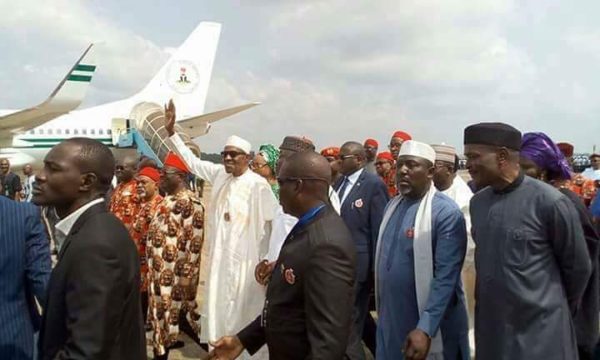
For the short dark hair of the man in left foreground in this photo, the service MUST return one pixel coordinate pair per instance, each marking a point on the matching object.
(97, 158)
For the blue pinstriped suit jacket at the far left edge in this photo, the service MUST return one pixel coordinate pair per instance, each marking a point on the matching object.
(24, 273)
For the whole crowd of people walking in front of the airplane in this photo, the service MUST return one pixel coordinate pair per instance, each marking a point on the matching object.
(296, 254)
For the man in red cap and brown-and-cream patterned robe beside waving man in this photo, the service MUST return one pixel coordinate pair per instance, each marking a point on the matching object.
(175, 240)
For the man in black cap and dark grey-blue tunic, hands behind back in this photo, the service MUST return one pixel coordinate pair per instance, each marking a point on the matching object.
(532, 262)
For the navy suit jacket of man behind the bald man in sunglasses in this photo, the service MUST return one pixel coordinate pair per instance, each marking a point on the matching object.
(362, 212)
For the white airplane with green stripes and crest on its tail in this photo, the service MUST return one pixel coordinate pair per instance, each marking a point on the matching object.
(27, 135)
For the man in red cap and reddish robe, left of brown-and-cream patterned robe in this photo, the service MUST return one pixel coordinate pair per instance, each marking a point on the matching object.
(147, 191)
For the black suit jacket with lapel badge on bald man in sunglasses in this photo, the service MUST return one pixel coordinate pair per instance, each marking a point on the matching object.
(310, 297)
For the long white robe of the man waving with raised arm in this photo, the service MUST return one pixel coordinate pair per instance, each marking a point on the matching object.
(238, 226)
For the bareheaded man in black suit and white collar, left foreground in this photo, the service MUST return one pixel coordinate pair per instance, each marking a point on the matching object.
(93, 308)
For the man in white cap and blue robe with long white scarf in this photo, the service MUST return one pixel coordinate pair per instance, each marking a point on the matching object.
(420, 253)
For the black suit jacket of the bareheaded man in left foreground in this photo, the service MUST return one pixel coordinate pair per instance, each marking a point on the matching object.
(93, 308)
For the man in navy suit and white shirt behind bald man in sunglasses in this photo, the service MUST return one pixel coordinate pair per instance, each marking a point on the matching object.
(363, 196)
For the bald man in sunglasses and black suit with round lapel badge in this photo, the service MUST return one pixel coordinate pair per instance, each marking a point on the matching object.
(310, 297)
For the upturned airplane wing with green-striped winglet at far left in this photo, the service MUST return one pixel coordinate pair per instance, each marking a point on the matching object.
(67, 96)
